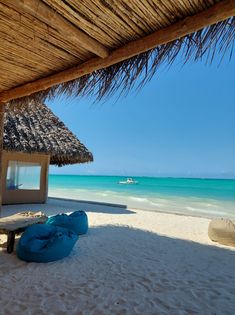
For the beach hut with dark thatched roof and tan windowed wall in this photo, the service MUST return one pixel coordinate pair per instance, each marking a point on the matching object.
(34, 138)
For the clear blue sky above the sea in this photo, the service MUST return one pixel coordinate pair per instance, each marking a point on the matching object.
(182, 123)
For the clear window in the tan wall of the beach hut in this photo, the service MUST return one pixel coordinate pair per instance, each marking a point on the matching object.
(23, 175)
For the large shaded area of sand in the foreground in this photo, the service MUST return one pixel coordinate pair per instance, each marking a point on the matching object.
(120, 270)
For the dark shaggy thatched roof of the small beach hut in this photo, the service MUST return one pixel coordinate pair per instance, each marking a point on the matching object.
(35, 129)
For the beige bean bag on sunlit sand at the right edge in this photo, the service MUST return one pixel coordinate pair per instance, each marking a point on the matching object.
(222, 231)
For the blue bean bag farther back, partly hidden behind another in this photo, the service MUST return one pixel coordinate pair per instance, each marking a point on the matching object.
(76, 221)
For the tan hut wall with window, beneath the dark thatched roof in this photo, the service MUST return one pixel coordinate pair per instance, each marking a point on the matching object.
(24, 177)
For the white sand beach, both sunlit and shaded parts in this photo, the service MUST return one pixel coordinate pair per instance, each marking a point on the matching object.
(129, 263)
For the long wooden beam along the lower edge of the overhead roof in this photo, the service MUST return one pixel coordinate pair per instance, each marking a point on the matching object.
(218, 12)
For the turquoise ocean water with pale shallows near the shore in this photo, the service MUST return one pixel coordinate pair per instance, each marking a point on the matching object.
(193, 196)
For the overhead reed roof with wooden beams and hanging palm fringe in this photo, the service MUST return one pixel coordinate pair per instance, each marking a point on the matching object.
(57, 41)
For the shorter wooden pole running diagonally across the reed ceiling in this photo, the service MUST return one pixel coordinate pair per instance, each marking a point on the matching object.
(44, 13)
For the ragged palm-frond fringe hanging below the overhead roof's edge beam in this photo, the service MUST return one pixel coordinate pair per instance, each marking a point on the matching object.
(122, 77)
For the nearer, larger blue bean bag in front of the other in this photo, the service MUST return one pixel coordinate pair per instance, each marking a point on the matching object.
(45, 243)
